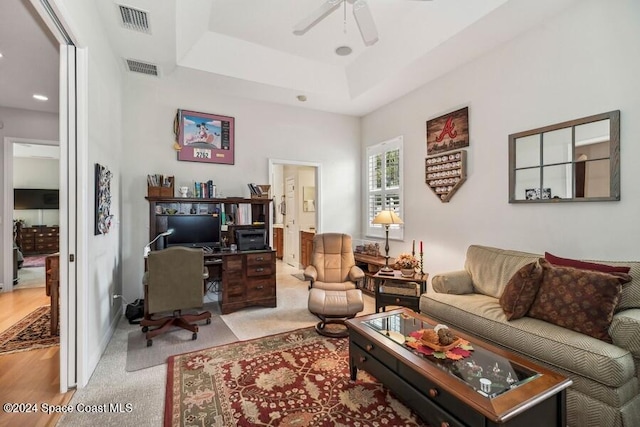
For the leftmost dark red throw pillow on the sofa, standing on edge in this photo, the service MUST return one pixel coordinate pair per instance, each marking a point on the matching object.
(521, 291)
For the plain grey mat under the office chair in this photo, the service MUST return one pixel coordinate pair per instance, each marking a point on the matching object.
(176, 341)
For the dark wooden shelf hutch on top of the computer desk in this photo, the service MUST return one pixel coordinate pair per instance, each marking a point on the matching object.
(236, 212)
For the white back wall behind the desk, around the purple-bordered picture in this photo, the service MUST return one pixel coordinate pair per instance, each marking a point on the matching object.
(263, 131)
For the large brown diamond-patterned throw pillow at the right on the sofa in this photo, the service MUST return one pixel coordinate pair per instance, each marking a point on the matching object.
(581, 300)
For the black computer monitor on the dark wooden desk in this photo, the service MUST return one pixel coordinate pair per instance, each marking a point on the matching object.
(194, 231)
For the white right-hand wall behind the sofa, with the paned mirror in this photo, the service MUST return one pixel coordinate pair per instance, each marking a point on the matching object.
(582, 62)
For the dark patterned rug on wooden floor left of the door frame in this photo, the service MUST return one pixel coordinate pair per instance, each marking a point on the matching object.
(31, 332)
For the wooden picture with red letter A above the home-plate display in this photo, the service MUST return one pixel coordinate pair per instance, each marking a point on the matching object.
(448, 132)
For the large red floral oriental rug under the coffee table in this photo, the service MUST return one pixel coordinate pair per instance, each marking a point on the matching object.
(297, 378)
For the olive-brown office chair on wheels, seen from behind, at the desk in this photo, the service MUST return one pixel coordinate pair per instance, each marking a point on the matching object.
(174, 281)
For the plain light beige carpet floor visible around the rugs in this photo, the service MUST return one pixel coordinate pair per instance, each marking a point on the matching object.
(145, 388)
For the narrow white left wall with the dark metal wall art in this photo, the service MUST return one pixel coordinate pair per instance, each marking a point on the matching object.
(98, 256)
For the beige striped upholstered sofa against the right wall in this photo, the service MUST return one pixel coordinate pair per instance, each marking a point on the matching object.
(605, 389)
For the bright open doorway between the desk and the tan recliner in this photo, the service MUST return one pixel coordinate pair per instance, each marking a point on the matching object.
(289, 179)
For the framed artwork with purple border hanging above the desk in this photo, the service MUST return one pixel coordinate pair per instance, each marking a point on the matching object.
(207, 138)
